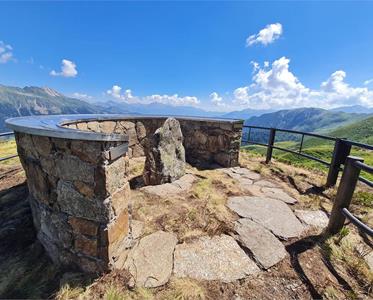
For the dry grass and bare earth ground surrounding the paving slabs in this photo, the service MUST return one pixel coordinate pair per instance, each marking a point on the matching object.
(316, 267)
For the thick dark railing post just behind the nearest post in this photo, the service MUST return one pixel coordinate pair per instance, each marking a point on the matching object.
(341, 150)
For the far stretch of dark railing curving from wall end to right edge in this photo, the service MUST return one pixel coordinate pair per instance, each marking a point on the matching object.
(342, 149)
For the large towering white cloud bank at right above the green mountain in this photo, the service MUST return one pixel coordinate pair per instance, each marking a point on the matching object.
(276, 86)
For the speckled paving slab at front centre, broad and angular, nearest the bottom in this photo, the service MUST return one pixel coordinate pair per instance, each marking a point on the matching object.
(216, 258)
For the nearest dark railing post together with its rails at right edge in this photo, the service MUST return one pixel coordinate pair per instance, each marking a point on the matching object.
(345, 192)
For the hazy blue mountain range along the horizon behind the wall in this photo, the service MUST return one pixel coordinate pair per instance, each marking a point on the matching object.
(15, 101)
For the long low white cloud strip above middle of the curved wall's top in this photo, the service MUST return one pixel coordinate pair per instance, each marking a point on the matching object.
(127, 96)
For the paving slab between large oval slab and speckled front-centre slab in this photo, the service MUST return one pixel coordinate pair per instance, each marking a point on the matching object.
(266, 249)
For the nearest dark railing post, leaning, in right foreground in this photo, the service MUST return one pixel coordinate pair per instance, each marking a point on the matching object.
(344, 195)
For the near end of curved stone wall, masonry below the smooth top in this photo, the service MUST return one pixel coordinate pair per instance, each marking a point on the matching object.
(79, 199)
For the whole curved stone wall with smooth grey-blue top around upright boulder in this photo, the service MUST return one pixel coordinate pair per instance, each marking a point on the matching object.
(77, 173)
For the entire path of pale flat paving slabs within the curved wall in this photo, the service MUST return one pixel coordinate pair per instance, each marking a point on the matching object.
(265, 219)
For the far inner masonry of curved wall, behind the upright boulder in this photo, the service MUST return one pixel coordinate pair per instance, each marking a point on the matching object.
(205, 141)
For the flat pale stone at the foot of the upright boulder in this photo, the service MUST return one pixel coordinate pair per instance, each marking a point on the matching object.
(179, 186)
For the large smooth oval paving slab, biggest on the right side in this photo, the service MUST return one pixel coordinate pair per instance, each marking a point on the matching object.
(273, 214)
